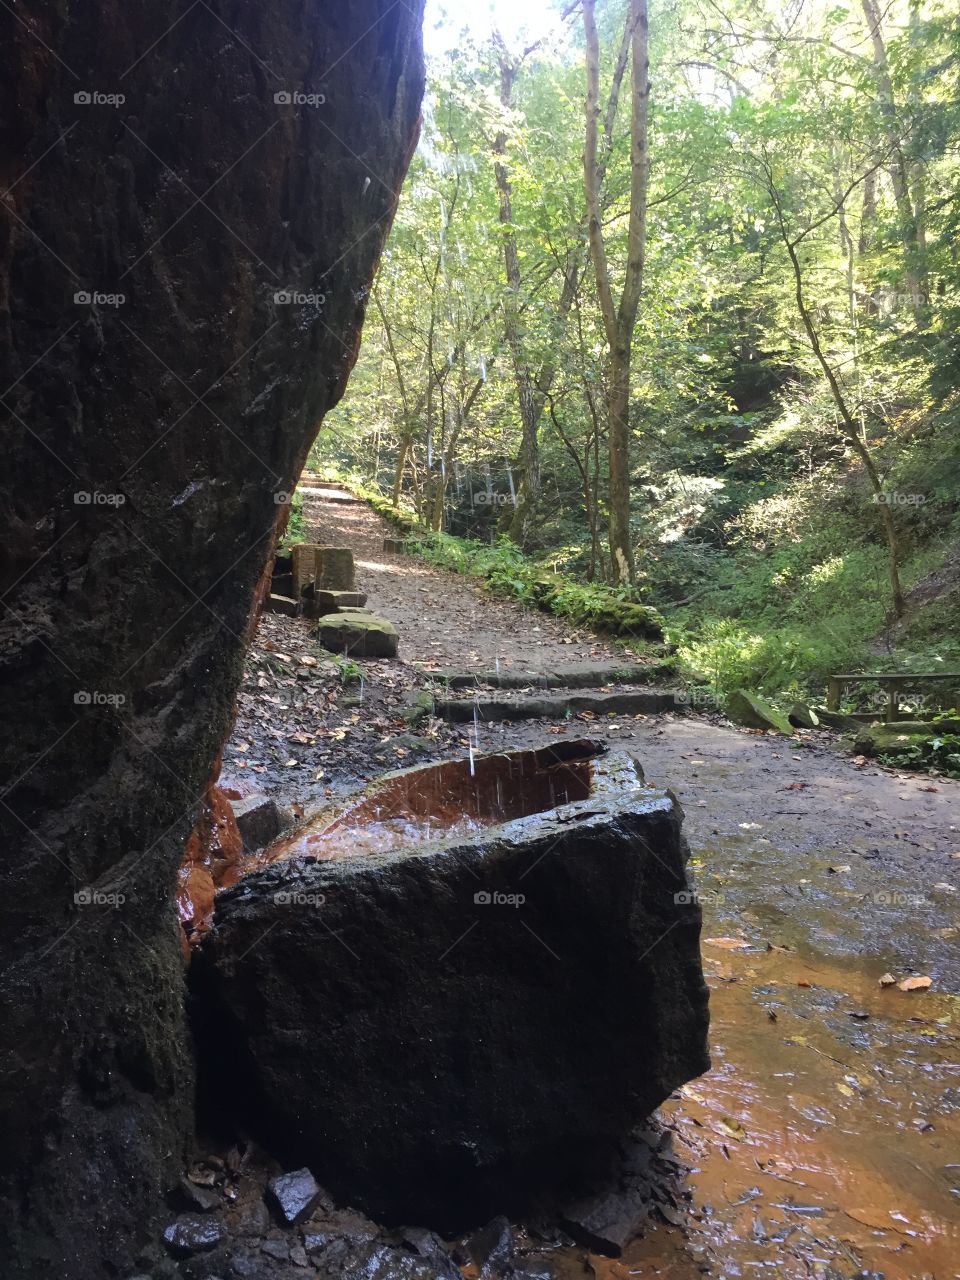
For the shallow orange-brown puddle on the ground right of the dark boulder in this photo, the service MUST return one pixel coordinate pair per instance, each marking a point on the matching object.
(821, 1144)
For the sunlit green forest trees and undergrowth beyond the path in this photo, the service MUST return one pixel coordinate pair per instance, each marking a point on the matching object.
(671, 304)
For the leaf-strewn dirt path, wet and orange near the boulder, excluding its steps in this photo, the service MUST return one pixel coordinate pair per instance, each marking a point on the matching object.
(825, 1141)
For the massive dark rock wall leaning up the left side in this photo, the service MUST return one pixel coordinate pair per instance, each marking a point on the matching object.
(161, 395)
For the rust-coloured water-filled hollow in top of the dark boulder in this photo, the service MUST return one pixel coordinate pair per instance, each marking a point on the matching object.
(447, 801)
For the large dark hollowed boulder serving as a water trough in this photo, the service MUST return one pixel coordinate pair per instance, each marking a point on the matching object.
(464, 1022)
